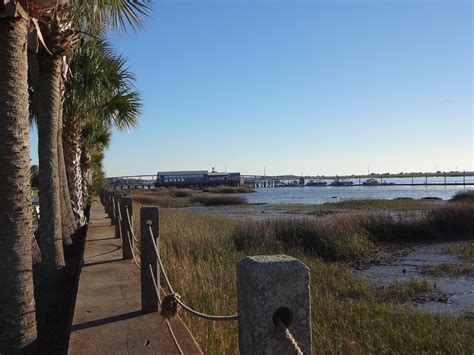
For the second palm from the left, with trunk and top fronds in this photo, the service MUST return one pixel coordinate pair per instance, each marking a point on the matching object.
(61, 33)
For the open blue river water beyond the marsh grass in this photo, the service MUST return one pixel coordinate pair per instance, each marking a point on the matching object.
(315, 195)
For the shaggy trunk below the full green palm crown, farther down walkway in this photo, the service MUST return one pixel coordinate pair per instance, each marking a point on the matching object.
(72, 157)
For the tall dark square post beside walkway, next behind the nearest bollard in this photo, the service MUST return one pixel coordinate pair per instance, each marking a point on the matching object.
(149, 217)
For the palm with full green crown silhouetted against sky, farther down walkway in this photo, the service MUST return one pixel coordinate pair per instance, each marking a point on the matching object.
(99, 96)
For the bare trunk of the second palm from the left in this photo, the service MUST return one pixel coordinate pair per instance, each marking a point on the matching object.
(49, 99)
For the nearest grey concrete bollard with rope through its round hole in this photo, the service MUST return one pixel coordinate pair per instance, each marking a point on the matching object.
(273, 289)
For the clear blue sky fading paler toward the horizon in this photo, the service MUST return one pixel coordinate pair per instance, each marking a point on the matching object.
(300, 87)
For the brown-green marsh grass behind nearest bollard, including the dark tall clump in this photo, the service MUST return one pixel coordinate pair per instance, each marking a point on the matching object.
(349, 315)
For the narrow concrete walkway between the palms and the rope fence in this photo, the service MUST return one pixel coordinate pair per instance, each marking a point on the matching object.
(107, 317)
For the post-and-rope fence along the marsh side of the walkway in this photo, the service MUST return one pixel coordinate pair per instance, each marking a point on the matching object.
(273, 294)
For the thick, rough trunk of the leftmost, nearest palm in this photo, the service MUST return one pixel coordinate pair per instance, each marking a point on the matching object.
(17, 304)
